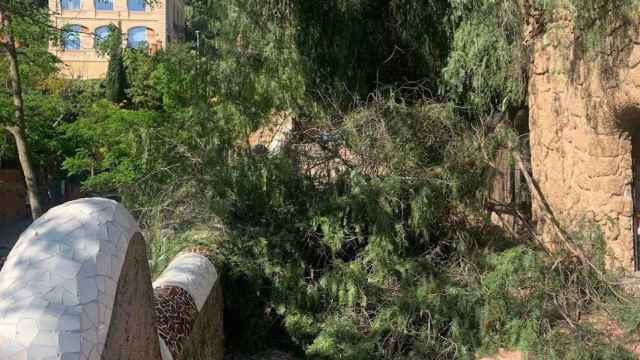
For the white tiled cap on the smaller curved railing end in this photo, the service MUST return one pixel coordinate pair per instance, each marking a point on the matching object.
(191, 272)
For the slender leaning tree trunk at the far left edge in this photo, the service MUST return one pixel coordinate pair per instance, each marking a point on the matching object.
(18, 128)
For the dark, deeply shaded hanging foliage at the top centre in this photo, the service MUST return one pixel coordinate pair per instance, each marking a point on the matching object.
(400, 41)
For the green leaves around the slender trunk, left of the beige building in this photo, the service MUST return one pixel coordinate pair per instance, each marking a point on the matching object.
(32, 34)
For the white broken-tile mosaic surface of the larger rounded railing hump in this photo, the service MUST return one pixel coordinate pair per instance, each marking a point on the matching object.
(57, 287)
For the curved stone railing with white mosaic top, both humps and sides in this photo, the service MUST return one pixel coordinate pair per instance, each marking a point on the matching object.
(77, 286)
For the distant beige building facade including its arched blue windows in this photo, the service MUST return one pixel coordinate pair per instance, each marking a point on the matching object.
(144, 23)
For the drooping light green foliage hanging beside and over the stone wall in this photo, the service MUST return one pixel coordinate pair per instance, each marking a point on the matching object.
(486, 68)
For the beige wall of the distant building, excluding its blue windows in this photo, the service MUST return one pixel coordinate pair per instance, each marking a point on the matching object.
(164, 21)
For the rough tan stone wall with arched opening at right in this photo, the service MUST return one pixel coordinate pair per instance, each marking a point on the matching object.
(582, 116)
